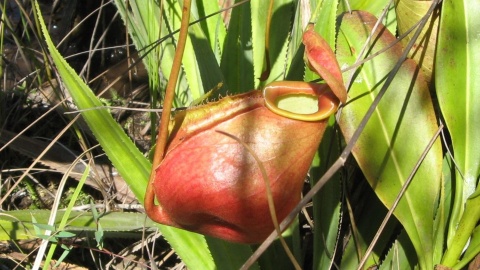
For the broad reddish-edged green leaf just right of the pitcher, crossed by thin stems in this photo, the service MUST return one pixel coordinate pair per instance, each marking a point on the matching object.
(397, 133)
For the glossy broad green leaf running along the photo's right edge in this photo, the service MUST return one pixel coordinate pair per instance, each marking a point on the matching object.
(458, 91)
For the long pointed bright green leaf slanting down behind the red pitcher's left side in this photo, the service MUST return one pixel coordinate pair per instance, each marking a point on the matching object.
(128, 160)
